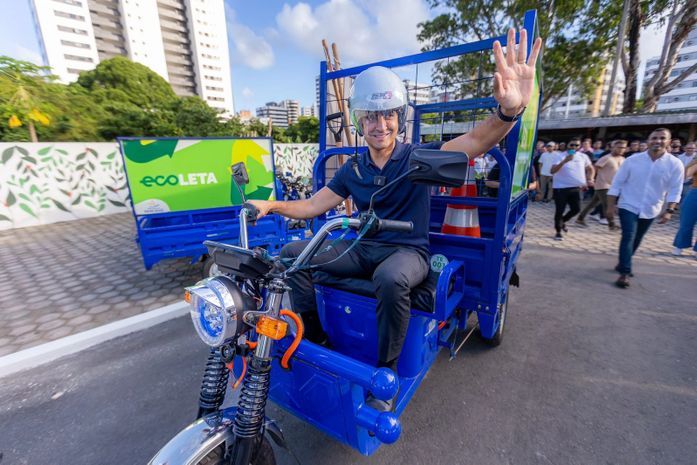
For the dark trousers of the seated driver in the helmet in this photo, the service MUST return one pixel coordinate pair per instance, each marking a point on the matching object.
(393, 269)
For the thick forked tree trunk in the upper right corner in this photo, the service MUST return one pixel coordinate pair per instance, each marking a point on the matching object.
(681, 19)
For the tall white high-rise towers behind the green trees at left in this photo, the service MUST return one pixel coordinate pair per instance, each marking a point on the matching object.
(184, 41)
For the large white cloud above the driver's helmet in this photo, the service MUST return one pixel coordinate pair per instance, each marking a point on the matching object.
(363, 30)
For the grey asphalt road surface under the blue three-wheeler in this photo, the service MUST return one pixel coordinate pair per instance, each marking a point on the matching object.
(587, 374)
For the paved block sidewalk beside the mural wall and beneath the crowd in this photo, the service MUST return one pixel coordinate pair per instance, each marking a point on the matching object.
(65, 278)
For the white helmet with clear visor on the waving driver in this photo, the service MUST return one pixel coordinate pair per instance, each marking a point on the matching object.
(378, 89)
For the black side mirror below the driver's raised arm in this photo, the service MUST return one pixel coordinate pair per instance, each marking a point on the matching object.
(438, 167)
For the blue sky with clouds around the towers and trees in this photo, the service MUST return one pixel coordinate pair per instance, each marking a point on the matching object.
(275, 46)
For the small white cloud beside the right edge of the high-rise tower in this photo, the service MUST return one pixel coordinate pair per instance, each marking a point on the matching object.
(248, 47)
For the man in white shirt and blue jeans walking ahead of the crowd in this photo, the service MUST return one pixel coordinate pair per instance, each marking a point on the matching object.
(642, 184)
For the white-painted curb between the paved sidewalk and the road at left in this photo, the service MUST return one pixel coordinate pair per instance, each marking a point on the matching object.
(50, 351)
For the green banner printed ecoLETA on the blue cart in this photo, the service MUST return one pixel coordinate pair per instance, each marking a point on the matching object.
(169, 175)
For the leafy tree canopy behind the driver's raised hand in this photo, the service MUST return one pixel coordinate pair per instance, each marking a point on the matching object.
(578, 38)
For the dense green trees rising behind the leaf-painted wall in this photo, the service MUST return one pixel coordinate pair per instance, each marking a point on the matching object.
(118, 98)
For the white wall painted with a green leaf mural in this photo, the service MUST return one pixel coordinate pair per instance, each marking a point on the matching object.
(46, 183)
